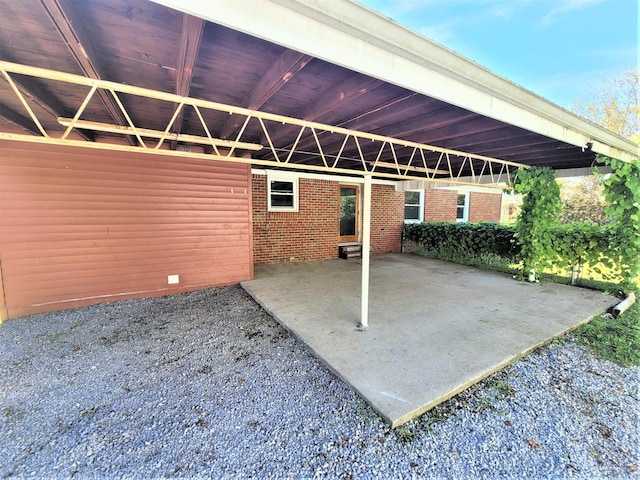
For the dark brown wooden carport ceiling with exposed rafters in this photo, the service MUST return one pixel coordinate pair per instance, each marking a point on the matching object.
(141, 43)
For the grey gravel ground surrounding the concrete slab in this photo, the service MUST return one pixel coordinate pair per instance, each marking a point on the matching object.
(207, 385)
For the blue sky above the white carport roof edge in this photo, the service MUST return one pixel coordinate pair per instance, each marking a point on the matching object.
(559, 49)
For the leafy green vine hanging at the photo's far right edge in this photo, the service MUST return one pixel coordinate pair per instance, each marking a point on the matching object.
(622, 192)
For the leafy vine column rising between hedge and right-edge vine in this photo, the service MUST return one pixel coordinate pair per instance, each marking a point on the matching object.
(541, 207)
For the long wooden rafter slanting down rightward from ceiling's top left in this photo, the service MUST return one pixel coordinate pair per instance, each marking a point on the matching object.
(79, 44)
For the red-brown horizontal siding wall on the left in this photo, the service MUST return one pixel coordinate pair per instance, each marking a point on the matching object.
(84, 226)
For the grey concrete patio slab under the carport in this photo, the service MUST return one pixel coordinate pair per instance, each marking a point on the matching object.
(435, 328)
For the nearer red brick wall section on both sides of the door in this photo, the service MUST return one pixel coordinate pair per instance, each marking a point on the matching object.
(311, 233)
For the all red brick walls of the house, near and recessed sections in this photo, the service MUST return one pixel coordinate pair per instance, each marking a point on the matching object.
(311, 232)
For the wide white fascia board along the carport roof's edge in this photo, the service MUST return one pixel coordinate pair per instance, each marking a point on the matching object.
(351, 35)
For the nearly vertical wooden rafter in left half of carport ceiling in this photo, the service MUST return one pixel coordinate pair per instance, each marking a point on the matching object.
(190, 38)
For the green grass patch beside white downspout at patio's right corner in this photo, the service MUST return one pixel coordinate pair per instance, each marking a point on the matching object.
(617, 340)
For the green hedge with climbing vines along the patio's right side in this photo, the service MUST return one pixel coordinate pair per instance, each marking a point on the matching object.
(539, 242)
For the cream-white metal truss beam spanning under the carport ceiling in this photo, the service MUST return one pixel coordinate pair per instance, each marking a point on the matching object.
(377, 155)
